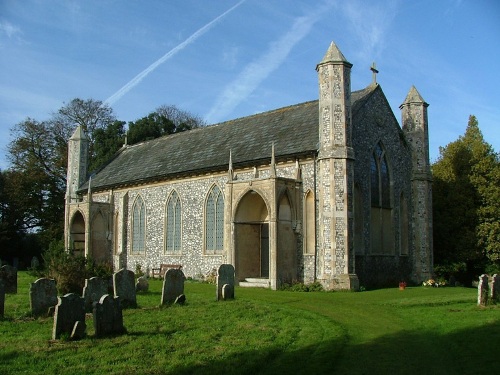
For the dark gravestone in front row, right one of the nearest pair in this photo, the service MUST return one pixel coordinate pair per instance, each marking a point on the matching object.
(108, 317)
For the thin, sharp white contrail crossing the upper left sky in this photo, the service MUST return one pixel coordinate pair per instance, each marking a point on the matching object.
(138, 78)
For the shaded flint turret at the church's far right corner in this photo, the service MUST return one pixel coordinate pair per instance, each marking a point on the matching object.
(415, 126)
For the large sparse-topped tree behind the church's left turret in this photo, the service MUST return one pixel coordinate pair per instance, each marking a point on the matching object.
(38, 156)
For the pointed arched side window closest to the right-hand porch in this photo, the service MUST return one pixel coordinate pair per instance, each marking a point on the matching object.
(214, 221)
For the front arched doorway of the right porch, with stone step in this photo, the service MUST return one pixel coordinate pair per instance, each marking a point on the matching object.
(251, 237)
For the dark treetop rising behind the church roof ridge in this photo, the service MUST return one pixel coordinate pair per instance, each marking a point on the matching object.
(165, 120)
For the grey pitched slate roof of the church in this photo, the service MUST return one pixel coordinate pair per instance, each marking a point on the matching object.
(293, 129)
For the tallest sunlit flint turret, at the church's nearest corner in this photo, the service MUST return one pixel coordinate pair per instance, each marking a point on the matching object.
(336, 173)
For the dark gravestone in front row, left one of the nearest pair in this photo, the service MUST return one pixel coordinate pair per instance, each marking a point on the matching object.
(70, 309)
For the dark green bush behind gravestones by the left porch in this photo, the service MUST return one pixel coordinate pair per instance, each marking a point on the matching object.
(69, 270)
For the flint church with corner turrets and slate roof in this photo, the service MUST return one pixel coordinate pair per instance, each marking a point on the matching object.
(332, 190)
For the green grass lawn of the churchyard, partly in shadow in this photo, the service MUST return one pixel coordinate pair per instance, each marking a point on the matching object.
(415, 331)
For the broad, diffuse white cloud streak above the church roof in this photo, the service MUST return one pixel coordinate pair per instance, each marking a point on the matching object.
(257, 71)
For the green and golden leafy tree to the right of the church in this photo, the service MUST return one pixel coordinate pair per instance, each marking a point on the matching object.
(466, 200)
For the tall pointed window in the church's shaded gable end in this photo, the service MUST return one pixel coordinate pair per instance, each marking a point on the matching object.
(382, 233)
